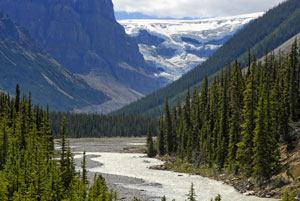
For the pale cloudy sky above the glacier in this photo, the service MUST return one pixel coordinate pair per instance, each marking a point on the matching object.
(194, 8)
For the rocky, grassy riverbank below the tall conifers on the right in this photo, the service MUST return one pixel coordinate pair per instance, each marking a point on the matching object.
(287, 178)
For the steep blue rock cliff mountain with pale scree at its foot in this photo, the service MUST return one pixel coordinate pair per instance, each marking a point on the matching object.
(84, 37)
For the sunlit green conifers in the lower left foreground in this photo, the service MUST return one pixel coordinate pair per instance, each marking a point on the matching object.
(30, 168)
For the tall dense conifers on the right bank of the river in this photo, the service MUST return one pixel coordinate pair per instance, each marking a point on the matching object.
(238, 122)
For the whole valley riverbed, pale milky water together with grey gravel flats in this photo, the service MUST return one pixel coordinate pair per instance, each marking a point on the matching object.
(123, 164)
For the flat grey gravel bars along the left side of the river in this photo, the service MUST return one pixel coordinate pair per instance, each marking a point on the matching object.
(117, 145)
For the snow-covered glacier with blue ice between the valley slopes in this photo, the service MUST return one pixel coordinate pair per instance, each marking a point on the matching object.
(174, 47)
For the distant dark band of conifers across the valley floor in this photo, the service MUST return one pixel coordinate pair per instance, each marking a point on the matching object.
(97, 125)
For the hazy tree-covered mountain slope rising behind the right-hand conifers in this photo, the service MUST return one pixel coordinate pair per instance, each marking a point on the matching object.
(267, 32)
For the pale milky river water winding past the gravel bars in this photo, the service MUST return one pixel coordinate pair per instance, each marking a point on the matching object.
(158, 182)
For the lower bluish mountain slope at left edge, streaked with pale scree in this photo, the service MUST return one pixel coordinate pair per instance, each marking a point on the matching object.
(24, 61)
